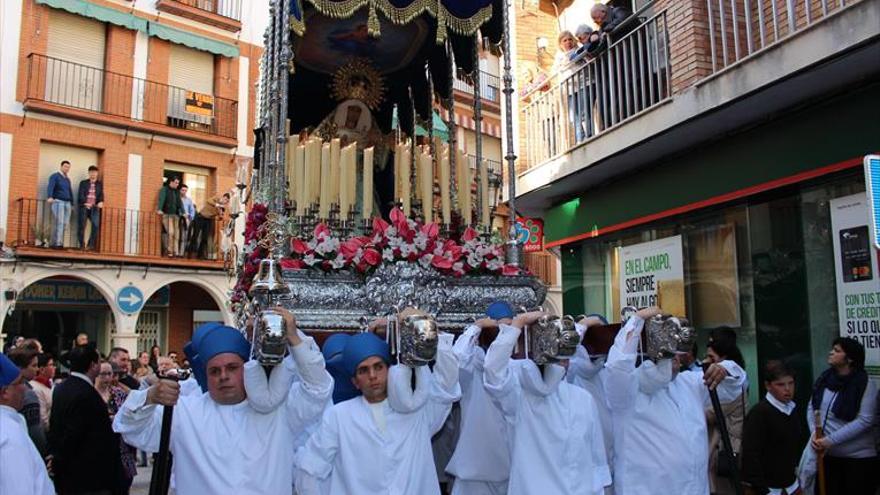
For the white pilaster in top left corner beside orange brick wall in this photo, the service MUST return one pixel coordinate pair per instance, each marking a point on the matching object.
(10, 33)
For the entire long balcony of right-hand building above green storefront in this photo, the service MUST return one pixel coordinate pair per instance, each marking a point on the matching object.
(677, 64)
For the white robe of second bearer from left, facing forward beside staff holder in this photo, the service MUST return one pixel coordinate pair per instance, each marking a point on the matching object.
(349, 449)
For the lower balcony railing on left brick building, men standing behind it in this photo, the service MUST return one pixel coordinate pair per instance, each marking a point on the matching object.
(123, 235)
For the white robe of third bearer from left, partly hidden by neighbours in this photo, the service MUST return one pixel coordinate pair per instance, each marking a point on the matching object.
(481, 461)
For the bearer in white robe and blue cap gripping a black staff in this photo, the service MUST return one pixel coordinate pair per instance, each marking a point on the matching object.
(220, 443)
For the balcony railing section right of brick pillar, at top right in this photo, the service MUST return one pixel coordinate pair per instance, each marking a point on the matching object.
(740, 28)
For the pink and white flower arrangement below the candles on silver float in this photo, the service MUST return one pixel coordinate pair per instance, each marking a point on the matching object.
(403, 239)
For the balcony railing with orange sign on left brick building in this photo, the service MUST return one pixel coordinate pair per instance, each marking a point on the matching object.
(81, 87)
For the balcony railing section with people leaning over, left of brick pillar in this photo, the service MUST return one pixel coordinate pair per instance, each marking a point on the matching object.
(600, 91)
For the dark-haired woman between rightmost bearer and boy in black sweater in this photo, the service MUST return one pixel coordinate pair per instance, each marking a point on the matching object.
(722, 346)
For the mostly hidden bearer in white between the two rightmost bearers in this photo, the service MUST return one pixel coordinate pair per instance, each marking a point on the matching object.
(589, 374)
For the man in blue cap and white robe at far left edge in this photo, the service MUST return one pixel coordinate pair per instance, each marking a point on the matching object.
(22, 471)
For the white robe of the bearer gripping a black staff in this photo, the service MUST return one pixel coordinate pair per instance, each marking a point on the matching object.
(232, 448)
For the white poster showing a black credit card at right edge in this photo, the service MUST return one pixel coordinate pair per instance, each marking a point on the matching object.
(855, 268)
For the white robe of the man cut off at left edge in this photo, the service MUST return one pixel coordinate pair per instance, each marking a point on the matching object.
(22, 471)
